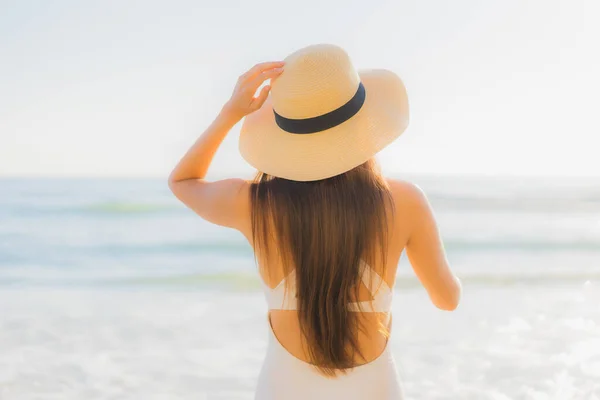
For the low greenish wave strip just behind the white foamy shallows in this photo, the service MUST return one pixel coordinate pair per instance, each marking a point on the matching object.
(237, 277)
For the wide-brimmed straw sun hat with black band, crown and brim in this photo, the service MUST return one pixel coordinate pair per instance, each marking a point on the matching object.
(323, 117)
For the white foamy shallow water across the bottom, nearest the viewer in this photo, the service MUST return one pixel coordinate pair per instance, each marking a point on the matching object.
(159, 344)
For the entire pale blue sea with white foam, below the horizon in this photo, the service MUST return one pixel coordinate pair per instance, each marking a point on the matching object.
(111, 289)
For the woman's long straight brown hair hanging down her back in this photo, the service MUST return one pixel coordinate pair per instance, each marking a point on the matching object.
(323, 229)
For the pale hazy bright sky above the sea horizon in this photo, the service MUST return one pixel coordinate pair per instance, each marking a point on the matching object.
(123, 88)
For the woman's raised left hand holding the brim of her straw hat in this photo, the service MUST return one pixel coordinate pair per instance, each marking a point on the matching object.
(243, 101)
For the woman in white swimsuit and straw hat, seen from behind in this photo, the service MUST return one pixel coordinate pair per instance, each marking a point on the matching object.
(326, 227)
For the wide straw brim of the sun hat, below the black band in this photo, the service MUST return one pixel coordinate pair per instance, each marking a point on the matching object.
(309, 157)
